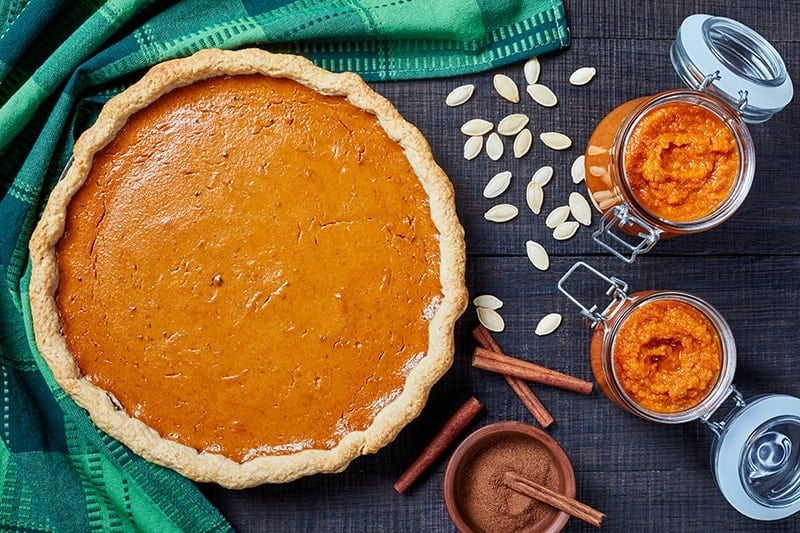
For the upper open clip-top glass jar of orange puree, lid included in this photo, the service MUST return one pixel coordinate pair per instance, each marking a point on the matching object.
(682, 161)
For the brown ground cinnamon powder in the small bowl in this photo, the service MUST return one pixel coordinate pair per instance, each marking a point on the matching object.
(487, 503)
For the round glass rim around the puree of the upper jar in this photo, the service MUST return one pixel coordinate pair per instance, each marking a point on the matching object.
(746, 152)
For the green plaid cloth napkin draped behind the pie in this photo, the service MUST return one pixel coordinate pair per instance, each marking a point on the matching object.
(59, 62)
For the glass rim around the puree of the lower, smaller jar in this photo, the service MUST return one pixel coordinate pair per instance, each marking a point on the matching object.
(722, 387)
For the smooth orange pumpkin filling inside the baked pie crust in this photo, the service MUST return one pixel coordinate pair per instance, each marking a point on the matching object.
(250, 268)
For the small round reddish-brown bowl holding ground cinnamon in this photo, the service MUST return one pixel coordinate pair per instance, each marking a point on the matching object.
(483, 439)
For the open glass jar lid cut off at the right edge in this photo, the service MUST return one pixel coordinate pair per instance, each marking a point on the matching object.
(756, 457)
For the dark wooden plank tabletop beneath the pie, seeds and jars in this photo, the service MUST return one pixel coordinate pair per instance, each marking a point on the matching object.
(644, 476)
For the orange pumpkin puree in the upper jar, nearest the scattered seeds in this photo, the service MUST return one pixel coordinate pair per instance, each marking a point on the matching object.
(681, 161)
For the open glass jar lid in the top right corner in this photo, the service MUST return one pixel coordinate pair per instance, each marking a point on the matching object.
(730, 60)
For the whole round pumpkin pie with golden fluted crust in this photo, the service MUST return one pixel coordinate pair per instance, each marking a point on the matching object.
(251, 270)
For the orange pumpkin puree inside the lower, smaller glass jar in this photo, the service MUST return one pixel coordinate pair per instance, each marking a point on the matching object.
(667, 356)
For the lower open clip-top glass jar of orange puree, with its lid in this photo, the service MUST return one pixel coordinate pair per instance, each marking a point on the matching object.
(670, 357)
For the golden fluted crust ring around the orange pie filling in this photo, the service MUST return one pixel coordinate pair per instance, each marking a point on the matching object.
(207, 465)
